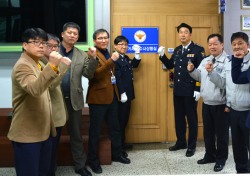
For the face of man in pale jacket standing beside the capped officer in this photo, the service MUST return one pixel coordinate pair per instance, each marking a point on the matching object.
(215, 46)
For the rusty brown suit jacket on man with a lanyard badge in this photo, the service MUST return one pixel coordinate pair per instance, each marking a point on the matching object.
(101, 90)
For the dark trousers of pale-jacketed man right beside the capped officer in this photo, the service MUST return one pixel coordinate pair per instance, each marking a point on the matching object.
(216, 131)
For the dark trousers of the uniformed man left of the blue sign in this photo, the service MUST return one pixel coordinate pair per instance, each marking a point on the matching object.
(123, 115)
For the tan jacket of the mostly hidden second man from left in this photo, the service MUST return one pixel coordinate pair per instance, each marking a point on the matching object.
(59, 111)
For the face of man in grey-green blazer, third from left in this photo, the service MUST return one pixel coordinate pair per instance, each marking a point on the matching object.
(70, 36)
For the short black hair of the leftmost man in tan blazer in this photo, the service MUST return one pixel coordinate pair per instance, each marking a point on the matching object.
(34, 33)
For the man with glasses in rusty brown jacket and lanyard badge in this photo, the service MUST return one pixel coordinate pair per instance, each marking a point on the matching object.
(102, 98)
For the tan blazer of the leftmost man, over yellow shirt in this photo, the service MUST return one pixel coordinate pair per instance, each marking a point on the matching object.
(32, 111)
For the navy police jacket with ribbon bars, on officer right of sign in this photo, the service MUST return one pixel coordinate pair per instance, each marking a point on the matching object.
(184, 85)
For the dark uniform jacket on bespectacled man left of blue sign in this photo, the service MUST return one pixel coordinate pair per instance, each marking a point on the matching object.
(124, 75)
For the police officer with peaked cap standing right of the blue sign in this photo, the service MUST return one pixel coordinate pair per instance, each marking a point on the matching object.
(186, 89)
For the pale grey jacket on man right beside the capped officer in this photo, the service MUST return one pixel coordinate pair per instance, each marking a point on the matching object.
(211, 93)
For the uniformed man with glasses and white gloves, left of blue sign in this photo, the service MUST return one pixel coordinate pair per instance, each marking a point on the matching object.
(124, 80)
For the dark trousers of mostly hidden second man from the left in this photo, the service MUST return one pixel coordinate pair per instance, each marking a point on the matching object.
(55, 144)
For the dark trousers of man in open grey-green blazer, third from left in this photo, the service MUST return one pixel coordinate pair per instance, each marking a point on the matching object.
(76, 141)
